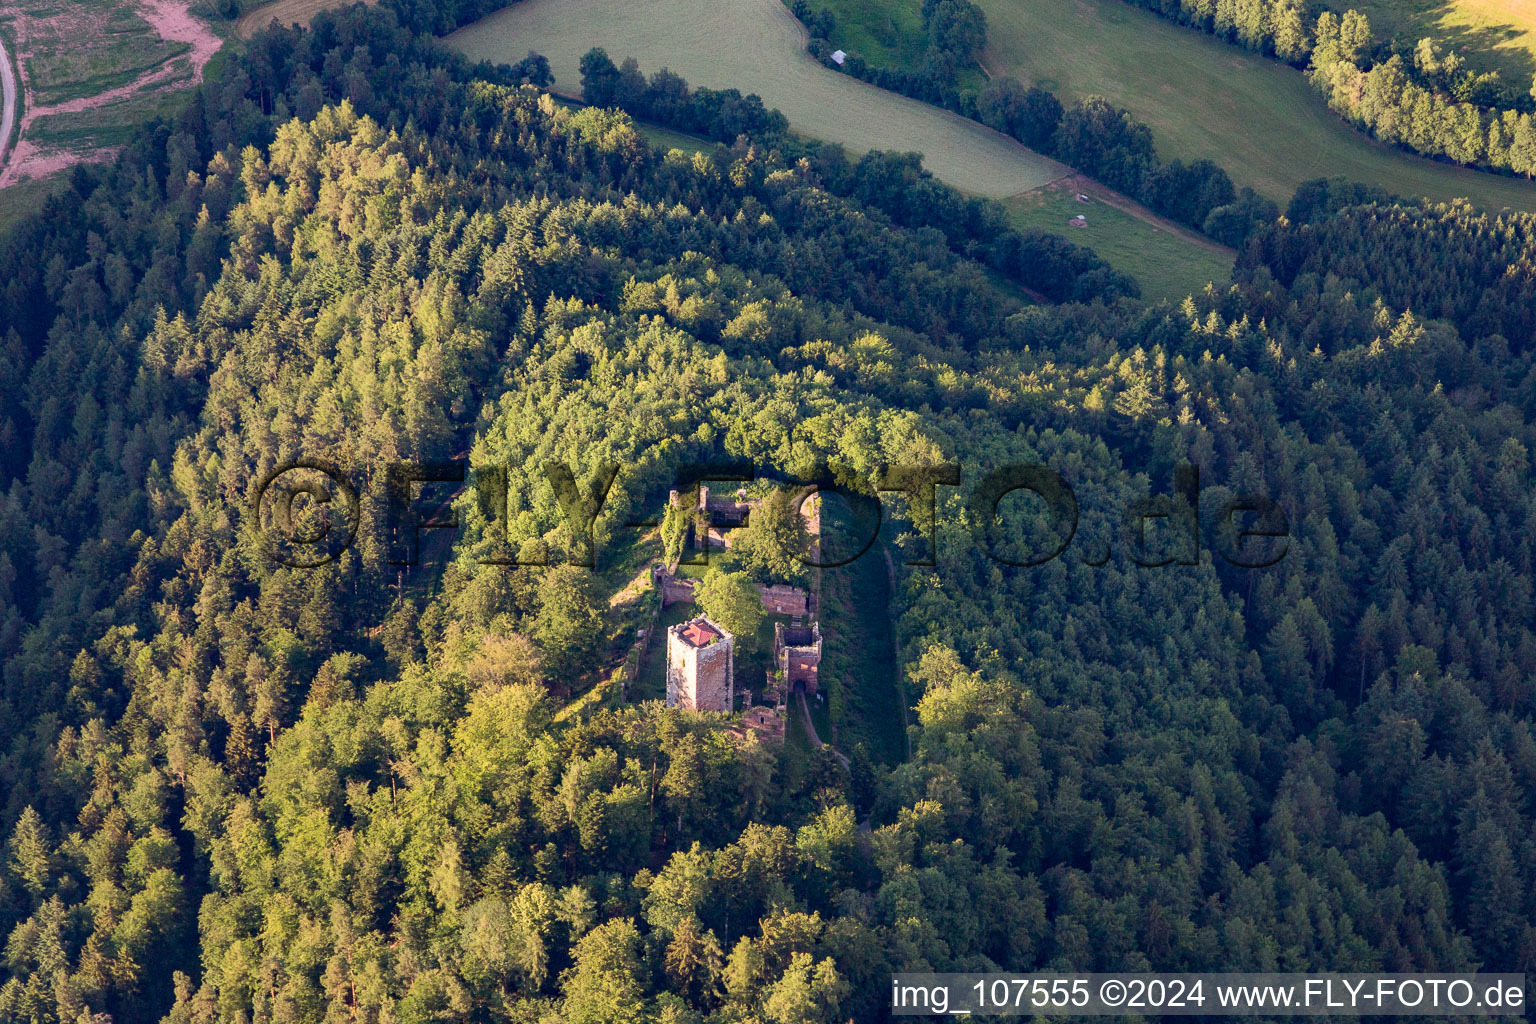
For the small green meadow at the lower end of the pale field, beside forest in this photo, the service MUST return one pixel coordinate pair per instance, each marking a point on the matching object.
(1170, 263)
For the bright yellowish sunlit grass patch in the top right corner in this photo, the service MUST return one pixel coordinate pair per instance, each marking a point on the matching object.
(1491, 35)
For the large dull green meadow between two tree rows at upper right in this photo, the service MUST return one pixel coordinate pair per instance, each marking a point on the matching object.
(1256, 117)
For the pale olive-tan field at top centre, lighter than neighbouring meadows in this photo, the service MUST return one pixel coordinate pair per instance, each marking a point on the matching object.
(758, 47)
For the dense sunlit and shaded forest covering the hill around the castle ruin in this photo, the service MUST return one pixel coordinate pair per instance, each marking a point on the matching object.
(237, 791)
